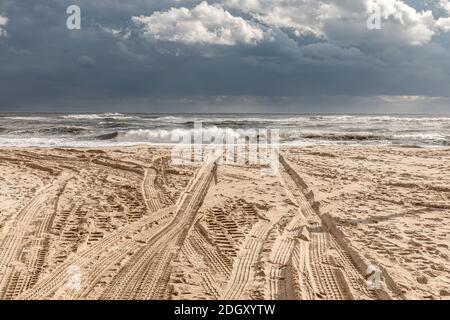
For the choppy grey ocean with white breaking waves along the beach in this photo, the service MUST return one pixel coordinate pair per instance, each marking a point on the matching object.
(121, 129)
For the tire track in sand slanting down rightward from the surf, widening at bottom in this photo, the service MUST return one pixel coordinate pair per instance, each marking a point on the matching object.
(320, 267)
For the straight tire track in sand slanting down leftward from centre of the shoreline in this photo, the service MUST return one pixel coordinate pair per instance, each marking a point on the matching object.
(147, 274)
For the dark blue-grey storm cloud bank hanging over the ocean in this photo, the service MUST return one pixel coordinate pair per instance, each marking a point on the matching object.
(111, 65)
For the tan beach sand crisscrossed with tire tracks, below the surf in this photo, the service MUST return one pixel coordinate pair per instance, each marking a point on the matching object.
(126, 223)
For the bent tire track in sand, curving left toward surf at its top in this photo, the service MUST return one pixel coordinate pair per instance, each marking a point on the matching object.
(96, 261)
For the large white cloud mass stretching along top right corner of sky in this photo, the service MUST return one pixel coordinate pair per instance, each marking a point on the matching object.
(344, 22)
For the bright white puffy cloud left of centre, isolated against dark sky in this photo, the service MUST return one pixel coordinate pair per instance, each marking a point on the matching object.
(204, 23)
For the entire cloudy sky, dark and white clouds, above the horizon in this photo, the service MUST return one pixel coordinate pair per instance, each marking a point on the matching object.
(226, 56)
